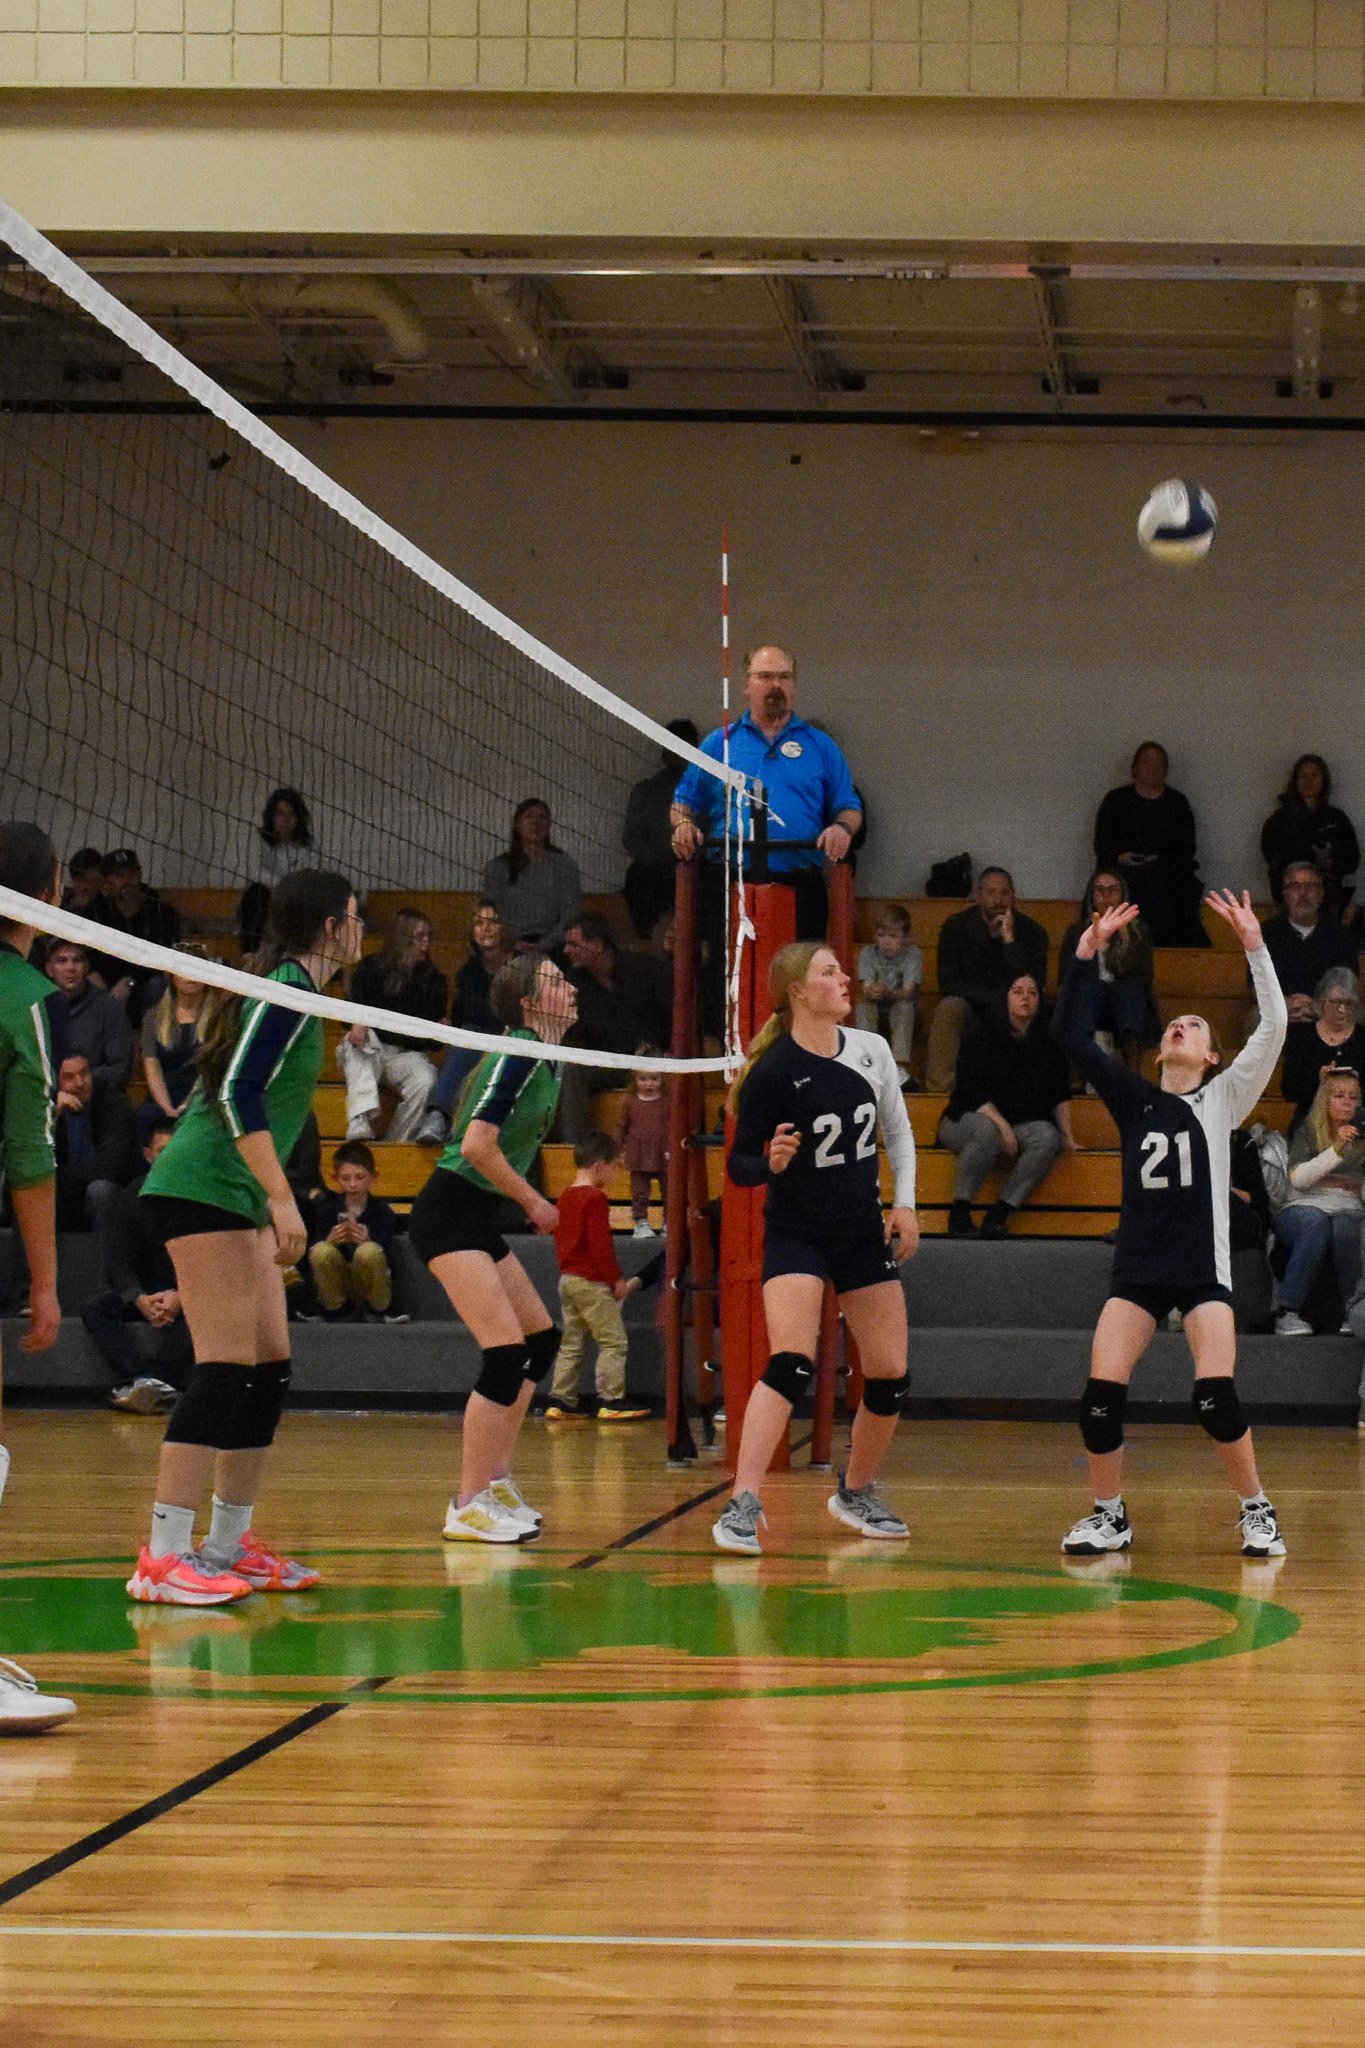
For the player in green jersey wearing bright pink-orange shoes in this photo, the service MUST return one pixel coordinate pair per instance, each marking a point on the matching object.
(230, 1224)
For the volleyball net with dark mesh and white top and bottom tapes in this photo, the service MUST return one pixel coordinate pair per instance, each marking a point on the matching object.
(195, 613)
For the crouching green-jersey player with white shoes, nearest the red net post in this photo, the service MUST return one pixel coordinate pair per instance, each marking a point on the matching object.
(500, 1125)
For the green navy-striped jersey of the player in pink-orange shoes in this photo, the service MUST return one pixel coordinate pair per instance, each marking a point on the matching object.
(269, 1086)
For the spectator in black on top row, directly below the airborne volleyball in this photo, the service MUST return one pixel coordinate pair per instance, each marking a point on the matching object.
(1149, 833)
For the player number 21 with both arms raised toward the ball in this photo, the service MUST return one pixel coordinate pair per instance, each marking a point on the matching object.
(1174, 1242)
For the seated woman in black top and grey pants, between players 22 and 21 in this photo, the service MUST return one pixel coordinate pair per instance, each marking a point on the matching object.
(1012, 1103)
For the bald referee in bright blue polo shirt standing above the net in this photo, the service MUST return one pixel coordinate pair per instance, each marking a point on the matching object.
(809, 790)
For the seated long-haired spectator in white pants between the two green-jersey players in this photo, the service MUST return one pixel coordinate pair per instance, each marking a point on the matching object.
(400, 978)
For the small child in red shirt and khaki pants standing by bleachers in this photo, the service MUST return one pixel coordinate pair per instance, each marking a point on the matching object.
(590, 1289)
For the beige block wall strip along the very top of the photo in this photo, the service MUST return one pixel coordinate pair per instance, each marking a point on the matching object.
(1247, 50)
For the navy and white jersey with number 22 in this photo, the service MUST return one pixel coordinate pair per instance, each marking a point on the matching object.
(832, 1189)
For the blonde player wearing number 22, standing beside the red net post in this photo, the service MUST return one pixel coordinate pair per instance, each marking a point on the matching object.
(807, 1109)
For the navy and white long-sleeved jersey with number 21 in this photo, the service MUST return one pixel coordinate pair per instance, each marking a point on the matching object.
(1174, 1224)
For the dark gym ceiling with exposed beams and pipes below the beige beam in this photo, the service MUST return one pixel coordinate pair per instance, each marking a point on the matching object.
(965, 333)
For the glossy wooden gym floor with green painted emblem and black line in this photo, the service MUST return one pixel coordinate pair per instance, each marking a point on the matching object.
(619, 1789)
